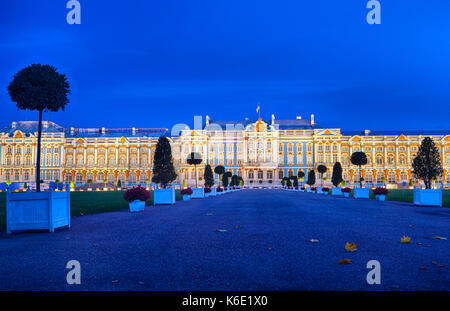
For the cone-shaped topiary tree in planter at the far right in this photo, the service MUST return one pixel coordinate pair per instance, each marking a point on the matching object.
(427, 164)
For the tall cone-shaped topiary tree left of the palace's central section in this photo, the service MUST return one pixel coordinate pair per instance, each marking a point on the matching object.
(163, 170)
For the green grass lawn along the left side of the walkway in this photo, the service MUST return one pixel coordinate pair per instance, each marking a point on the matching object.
(87, 202)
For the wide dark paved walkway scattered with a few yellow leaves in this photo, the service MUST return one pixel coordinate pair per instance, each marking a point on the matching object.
(266, 246)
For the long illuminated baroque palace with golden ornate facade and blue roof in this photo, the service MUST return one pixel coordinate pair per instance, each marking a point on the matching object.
(259, 151)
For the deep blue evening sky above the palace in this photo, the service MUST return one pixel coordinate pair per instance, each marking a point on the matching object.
(156, 63)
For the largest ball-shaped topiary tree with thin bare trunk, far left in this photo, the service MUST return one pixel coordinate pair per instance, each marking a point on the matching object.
(39, 88)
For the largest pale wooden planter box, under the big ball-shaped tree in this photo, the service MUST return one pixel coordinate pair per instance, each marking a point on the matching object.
(37, 210)
